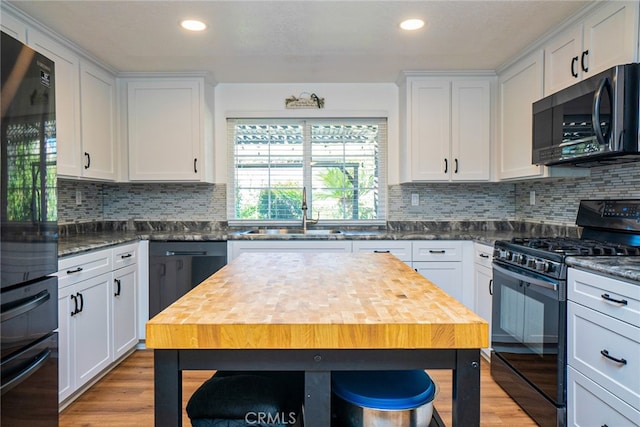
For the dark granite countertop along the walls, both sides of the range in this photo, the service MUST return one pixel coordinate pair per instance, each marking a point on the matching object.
(72, 243)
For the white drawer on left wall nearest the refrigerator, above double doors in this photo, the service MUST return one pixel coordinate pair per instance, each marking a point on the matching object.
(76, 268)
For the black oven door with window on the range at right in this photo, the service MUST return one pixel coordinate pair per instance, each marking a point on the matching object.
(529, 328)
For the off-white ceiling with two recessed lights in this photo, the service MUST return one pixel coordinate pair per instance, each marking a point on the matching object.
(302, 41)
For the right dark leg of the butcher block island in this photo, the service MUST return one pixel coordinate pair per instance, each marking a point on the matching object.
(466, 389)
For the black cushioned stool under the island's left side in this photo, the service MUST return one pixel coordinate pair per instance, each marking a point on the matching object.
(248, 398)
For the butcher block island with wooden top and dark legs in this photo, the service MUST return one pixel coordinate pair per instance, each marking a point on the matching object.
(317, 313)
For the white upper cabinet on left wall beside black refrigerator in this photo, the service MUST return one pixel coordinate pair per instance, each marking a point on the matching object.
(85, 112)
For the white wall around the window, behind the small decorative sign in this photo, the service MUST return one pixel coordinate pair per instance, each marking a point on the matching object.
(341, 100)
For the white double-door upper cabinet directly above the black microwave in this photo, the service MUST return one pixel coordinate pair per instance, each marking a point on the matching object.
(606, 37)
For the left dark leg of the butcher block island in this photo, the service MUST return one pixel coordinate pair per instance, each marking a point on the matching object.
(167, 389)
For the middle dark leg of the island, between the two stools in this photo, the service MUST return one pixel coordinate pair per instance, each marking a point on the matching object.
(317, 398)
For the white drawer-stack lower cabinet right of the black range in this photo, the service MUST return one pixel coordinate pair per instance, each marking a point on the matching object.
(603, 350)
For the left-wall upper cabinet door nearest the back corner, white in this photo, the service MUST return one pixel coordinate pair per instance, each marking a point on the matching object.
(97, 102)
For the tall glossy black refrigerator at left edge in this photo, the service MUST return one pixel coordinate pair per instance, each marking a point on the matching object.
(29, 239)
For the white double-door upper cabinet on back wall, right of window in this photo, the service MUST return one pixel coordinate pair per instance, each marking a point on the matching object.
(446, 135)
